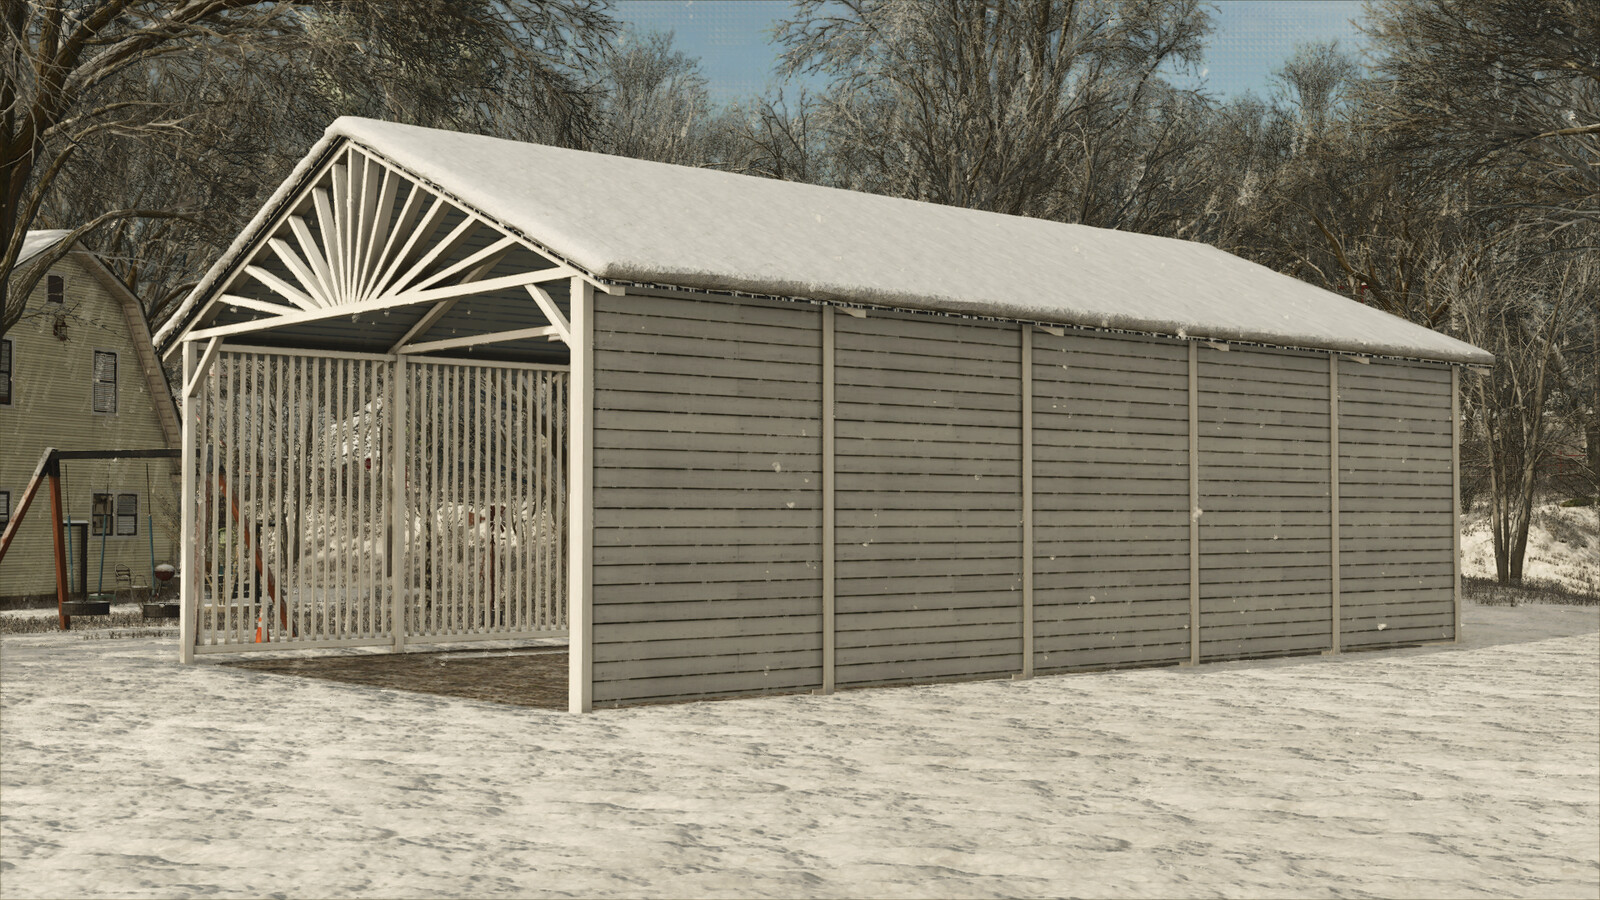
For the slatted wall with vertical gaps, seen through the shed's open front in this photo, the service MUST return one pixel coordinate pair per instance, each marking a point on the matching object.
(351, 500)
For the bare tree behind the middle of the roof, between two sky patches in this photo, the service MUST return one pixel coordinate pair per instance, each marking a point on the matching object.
(1017, 106)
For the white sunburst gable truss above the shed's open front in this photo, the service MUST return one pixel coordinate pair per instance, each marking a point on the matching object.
(366, 252)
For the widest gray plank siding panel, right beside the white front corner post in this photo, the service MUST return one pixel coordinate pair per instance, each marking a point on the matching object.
(708, 499)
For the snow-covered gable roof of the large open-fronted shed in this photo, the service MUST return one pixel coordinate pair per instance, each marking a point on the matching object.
(644, 222)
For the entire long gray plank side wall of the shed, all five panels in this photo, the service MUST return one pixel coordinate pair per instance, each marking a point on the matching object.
(710, 500)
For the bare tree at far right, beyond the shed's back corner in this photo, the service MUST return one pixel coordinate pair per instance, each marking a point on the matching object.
(1495, 108)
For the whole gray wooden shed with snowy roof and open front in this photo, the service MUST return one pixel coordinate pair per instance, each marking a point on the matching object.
(734, 436)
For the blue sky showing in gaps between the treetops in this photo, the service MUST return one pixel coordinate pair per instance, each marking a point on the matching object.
(734, 38)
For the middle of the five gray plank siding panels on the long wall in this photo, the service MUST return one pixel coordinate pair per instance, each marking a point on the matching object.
(1111, 502)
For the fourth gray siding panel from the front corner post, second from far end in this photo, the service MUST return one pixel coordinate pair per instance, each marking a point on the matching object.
(1266, 558)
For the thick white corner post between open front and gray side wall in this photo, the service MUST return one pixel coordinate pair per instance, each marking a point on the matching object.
(580, 502)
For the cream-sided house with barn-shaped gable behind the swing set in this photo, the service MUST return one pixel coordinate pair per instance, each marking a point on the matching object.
(79, 374)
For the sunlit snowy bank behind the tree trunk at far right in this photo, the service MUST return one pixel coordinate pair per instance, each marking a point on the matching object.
(1564, 547)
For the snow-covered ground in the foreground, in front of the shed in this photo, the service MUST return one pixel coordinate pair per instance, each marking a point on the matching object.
(1449, 771)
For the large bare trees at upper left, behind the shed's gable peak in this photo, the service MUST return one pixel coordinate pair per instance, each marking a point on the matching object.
(154, 127)
